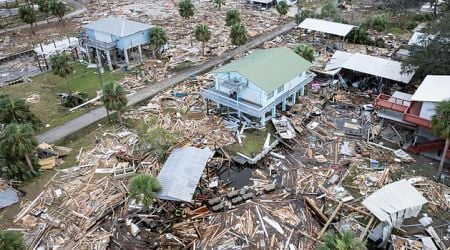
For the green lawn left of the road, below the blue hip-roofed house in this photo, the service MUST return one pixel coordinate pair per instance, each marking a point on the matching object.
(47, 85)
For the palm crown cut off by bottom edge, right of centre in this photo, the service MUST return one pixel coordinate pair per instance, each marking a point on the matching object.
(346, 241)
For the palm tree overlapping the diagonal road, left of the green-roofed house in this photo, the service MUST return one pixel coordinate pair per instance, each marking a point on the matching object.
(115, 98)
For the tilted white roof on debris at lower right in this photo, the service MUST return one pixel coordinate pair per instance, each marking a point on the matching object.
(395, 202)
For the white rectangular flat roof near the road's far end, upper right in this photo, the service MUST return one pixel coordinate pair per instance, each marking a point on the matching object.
(338, 29)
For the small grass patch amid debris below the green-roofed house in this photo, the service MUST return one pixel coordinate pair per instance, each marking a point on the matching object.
(252, 141)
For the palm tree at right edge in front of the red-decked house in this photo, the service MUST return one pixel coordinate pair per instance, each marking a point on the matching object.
(440, 124)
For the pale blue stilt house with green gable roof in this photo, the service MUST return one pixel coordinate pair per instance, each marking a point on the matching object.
(258, 83)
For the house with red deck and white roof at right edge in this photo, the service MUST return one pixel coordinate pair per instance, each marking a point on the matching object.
(416, 111)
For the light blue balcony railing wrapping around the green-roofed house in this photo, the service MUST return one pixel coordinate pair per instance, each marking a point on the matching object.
(248, 108)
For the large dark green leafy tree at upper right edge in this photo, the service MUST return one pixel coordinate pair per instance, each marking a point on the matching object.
(432, 57)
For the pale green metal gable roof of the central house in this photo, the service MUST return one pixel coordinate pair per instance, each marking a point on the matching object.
(268, 68)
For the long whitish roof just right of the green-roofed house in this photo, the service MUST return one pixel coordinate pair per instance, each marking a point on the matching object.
(377, 66)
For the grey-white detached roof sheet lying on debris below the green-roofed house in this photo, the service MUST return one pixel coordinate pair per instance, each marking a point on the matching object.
(181, 173)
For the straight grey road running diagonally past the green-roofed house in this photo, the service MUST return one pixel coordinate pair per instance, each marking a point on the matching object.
(95, 115)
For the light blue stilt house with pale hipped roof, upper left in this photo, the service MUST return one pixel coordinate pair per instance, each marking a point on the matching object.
(112, 39)
